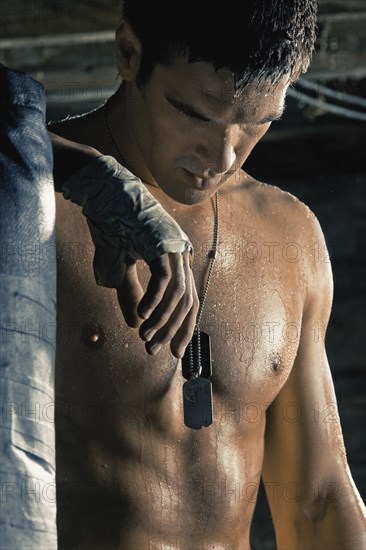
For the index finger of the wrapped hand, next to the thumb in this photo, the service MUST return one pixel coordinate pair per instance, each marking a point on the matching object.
(160, 277)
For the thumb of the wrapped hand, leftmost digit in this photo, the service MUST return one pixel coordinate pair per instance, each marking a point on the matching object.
(129, 295)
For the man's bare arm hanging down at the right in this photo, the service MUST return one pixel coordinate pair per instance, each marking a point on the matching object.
(313, 499)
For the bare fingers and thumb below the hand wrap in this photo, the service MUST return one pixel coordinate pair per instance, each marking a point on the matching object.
(170, 304)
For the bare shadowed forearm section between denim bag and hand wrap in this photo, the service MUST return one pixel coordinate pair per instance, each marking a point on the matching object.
(68, 158)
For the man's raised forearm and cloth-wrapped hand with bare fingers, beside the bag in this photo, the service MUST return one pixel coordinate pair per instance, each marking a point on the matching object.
(170, 304)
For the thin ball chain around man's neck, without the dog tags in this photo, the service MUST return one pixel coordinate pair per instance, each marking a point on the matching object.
(211, 257)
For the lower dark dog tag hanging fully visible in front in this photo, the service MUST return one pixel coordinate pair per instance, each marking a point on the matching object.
(197, 403)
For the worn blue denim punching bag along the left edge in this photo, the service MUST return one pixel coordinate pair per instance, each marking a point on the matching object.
(27, 317)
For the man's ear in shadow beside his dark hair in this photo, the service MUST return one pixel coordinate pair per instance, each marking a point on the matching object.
(128, 49)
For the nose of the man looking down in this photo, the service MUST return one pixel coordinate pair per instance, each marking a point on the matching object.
(217, 151)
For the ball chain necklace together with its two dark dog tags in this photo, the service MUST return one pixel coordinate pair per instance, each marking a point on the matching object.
(196, 362)
